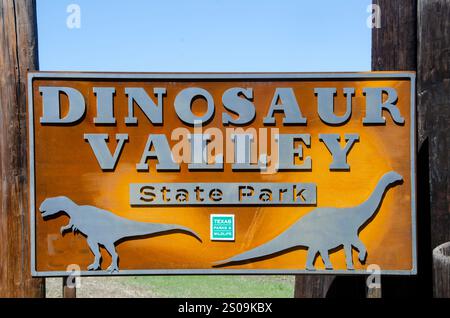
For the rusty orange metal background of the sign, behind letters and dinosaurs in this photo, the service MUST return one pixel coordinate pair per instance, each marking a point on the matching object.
(65, 165)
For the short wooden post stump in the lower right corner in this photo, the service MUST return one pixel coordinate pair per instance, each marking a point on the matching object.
(441, 270)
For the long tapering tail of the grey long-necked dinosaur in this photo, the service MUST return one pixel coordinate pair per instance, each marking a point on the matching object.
(284, 241)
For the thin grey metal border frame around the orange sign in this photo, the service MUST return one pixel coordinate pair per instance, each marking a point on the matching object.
(217, 76)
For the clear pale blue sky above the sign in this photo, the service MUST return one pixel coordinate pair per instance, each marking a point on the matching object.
(205, 36)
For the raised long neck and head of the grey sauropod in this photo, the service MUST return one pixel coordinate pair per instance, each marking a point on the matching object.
(367, 209)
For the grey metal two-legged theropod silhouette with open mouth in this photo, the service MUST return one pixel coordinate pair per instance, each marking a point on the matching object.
(102, 227)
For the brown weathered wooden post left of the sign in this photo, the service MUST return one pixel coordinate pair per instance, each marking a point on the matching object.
(18, 53)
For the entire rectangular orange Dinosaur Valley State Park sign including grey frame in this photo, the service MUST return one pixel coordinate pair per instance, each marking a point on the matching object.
(222, 173)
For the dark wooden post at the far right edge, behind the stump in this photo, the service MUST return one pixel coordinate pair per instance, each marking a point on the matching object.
(433, 105)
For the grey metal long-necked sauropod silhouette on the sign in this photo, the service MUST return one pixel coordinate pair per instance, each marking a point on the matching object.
(324, 229)
